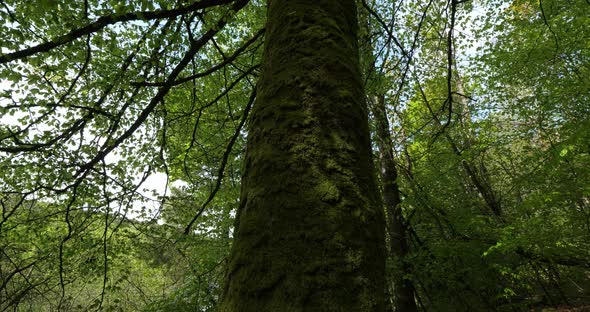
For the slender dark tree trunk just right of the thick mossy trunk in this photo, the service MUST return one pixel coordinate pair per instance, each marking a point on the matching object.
(403, 291)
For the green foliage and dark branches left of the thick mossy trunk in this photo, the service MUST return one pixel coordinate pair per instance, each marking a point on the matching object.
(116, 97)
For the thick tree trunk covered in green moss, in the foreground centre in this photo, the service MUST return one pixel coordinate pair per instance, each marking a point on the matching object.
(309, 233)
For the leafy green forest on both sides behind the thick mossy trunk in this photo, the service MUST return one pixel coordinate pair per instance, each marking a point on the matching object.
(123, 128)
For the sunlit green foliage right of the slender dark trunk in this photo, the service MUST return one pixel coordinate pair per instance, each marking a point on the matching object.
(492, 150)
